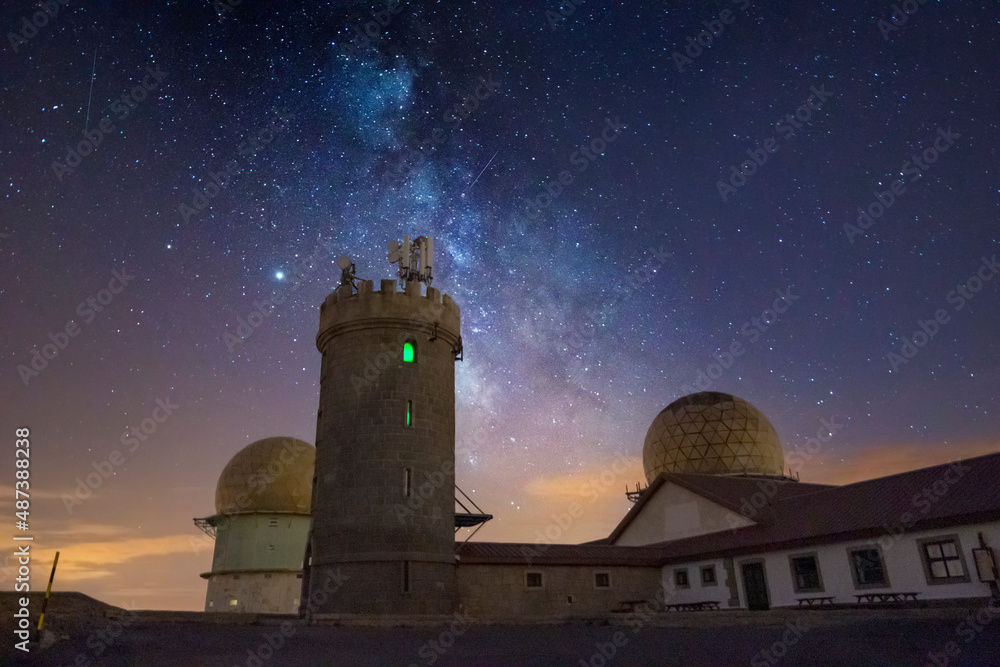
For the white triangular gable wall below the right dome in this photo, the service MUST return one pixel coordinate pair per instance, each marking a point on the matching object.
(674, 513)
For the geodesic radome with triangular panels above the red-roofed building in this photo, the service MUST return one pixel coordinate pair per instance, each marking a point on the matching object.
(712, 433)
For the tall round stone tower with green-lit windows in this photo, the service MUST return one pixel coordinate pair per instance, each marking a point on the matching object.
(382, 538)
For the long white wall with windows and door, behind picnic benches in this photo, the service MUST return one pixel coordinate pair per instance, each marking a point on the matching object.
(902, 559)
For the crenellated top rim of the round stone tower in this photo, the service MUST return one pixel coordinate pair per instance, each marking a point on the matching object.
(433, 312)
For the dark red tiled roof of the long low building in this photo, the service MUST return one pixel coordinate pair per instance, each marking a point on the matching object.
(797, 514)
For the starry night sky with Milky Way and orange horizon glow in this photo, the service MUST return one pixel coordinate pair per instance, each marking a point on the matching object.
(241, 150)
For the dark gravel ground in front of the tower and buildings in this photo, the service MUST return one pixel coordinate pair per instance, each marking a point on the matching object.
(791, 639)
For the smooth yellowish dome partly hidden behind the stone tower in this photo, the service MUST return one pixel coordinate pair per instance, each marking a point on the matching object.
(273, 475)
